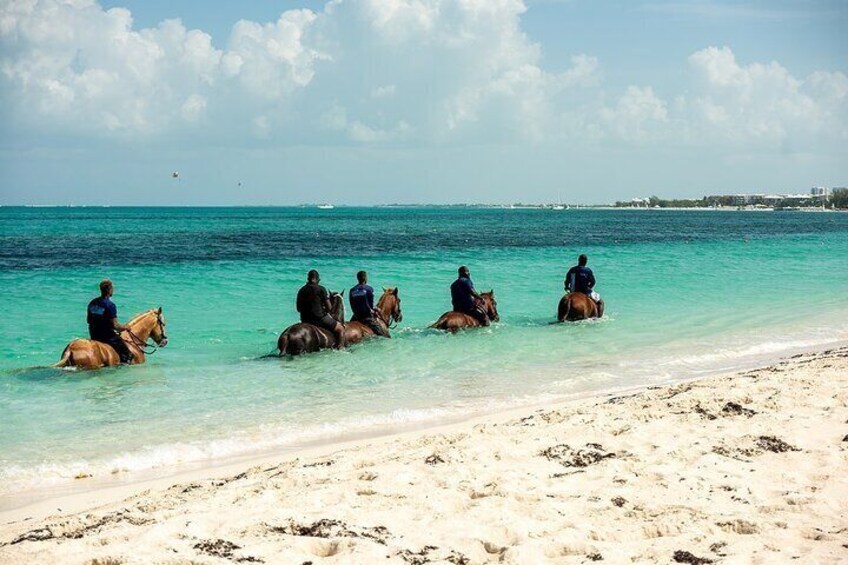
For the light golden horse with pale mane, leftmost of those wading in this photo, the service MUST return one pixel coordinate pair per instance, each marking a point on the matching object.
(90, 354)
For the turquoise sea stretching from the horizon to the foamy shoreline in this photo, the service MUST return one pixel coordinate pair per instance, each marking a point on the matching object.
(686, 292)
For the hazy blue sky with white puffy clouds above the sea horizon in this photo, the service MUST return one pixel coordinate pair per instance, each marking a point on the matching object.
(263, 102)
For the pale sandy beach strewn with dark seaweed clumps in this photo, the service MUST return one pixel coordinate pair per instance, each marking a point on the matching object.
(744, 468)
